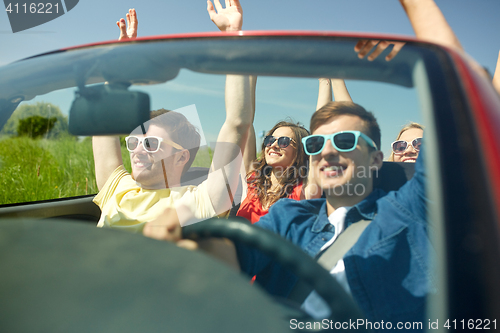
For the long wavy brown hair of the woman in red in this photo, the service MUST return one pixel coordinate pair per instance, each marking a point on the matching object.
(259, 179)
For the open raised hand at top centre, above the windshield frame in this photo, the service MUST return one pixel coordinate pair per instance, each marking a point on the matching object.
(226, 19)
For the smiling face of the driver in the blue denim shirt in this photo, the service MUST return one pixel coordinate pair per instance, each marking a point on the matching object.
(345, 177)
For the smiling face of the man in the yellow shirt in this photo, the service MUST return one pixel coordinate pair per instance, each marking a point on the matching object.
(148, 169)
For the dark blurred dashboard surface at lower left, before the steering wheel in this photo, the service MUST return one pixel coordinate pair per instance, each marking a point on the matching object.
(68, 276)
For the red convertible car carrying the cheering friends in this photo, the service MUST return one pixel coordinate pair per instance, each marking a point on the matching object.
(62, 274)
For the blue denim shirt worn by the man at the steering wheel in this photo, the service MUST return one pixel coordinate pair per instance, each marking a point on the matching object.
(387, 269)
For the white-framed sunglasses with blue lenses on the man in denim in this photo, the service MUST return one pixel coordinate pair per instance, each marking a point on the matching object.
(344, 141)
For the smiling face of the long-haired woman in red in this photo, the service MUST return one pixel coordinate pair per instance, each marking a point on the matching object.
(281, 157)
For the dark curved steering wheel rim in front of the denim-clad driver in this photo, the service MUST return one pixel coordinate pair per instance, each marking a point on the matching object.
(342, 306)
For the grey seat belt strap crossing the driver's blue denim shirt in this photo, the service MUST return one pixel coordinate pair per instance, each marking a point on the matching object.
(329, 258)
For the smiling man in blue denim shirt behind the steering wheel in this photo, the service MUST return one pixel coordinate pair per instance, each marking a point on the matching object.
(387, 270)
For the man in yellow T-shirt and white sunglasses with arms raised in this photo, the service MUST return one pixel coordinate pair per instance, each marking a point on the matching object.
(161, 150)
